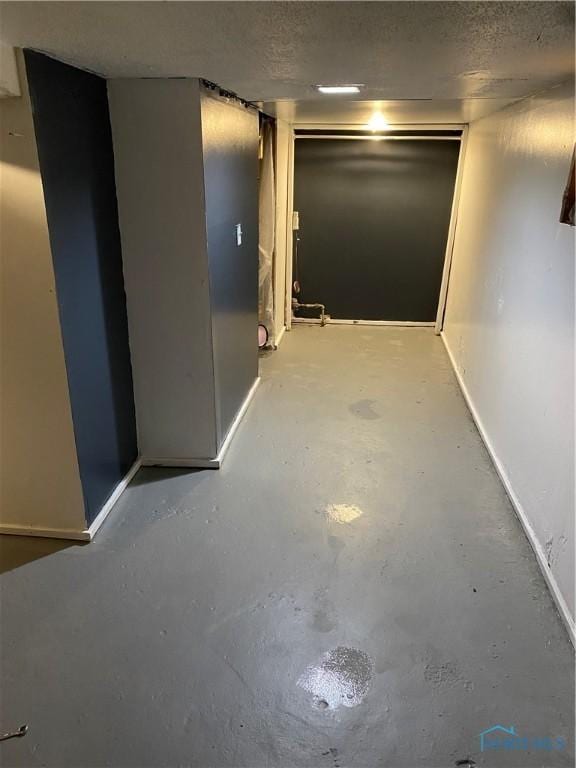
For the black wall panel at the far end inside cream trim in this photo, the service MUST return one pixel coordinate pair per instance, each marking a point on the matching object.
(374, 218)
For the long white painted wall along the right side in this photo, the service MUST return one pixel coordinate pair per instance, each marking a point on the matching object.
(509, 321)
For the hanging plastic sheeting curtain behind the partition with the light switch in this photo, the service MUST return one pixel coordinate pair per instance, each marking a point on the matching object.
(266, 221)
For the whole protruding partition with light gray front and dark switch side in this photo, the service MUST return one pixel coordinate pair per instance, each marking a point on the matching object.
(186, 171)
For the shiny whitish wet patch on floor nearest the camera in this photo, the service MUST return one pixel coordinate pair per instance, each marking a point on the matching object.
(341, 678)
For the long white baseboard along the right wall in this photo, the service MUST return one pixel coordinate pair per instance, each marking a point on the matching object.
(517, 505)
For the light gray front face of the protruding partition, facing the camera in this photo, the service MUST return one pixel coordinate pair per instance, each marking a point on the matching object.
(159, 181)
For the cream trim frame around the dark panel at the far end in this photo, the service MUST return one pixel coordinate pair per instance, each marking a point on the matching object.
(463, 139)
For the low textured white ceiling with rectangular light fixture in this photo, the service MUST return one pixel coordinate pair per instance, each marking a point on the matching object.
(470, 58)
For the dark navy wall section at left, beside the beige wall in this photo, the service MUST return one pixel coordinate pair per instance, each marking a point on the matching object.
(77, 166)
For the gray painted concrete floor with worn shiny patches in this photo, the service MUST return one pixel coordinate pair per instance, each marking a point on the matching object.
(351, 589)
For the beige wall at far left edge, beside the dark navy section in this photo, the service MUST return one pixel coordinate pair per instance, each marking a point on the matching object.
(40, 487)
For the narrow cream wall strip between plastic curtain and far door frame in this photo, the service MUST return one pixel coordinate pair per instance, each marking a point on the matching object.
(283, 203)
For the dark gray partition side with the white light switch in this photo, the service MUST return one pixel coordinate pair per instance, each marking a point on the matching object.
(230, 147)
